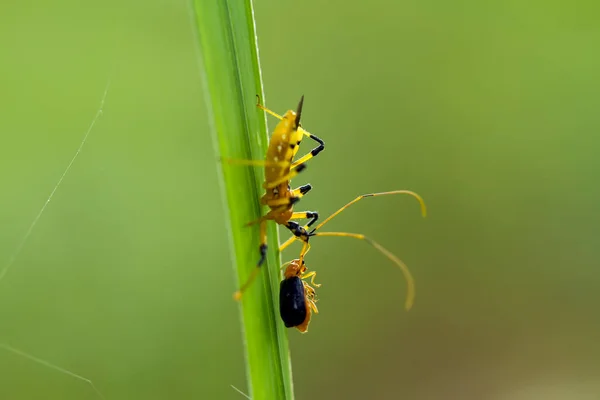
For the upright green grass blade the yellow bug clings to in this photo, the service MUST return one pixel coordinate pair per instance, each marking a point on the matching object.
(232, 79)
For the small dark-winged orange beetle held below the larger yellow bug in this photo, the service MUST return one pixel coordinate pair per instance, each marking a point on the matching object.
(296, 297)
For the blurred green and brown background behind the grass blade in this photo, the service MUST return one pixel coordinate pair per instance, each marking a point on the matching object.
(490, 111)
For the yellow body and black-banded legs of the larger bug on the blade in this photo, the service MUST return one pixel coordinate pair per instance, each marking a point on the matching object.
(280, 168)
